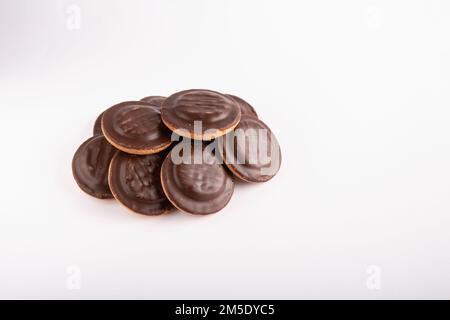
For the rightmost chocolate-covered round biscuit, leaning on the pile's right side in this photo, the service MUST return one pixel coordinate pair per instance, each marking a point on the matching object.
(251, 151)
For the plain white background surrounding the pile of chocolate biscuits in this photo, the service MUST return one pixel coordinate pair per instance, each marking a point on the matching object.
(357, 93)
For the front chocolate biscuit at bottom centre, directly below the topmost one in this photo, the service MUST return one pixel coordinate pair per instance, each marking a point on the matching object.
(202, 188)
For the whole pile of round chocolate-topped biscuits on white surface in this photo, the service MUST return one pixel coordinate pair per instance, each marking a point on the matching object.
(134, 154)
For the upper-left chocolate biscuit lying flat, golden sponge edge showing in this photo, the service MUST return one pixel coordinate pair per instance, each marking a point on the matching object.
(135, 127)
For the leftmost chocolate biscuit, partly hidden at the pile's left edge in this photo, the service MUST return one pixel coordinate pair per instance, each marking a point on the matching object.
(90, 166)
